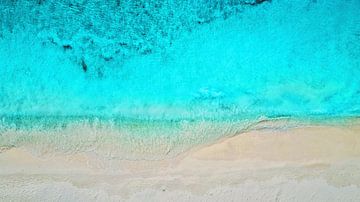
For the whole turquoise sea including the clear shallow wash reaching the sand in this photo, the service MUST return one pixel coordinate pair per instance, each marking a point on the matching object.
(162, 76)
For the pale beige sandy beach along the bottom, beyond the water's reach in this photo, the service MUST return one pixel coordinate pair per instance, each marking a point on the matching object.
(315, 163)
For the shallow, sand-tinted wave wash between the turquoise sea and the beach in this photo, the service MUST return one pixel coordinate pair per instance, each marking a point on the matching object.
(122, 138)
